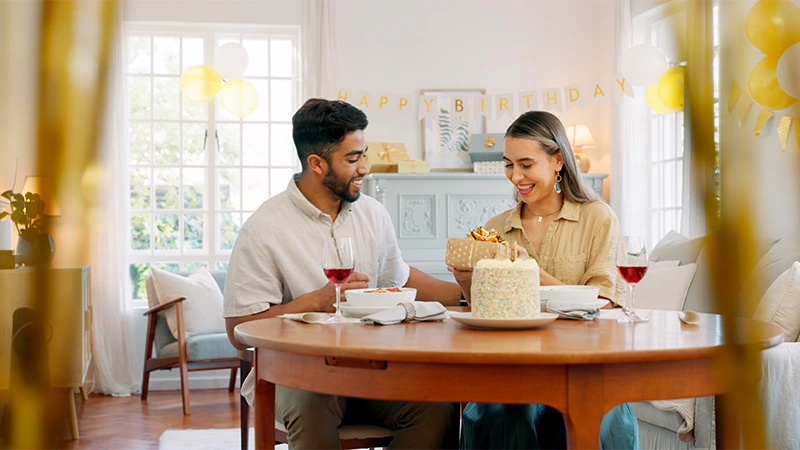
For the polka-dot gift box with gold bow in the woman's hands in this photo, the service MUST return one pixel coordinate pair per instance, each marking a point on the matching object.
(463, 254)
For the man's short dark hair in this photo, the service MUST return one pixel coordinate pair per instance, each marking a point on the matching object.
(321, 124)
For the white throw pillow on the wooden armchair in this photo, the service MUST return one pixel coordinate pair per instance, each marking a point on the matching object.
(202, 309)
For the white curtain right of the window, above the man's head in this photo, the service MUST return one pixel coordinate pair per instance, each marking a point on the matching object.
(319, 49)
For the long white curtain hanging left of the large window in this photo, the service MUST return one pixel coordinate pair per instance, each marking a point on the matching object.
(116, 370)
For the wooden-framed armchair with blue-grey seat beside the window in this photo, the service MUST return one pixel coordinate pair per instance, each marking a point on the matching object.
(199, 352)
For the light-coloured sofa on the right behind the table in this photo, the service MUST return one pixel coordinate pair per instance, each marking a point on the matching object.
(679, 280)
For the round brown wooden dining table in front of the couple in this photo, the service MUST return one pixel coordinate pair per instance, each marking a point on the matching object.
(581, 368)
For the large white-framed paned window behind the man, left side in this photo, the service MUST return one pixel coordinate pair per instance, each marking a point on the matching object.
(196, 171)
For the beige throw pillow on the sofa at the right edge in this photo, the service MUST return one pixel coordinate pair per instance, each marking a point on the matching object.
(781, 303)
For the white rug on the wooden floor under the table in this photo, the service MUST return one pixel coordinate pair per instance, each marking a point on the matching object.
(210, 439)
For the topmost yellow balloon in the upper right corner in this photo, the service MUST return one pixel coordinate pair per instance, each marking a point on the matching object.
(771, 26)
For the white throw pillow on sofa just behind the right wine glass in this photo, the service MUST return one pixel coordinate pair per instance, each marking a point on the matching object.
(664, 288)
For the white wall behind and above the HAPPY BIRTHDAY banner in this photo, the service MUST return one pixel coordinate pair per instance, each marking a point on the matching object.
(502, 46)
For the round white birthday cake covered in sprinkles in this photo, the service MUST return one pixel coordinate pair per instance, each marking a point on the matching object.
(502, 289)
